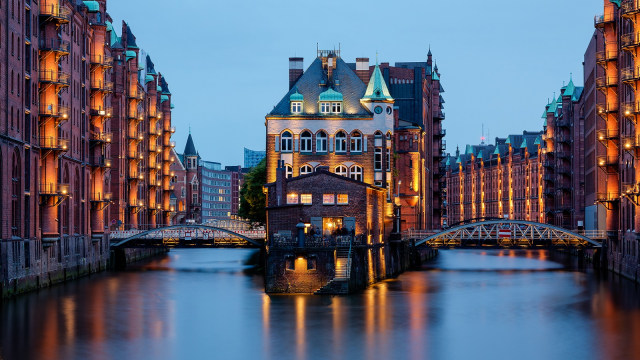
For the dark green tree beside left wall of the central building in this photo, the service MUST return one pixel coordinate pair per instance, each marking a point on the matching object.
(252, 199)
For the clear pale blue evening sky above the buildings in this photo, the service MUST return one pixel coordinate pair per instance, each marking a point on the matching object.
(227, 62)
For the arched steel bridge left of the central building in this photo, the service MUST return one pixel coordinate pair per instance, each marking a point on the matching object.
(187, 236)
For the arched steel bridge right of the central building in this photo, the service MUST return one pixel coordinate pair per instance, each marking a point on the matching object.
(511, 234)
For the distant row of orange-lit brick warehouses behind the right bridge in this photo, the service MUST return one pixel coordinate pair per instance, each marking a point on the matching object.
(500, 180)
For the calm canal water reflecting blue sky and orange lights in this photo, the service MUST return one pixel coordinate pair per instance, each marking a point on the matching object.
(207, 304)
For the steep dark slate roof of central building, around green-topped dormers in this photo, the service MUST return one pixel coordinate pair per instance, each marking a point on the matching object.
(314, 81)
